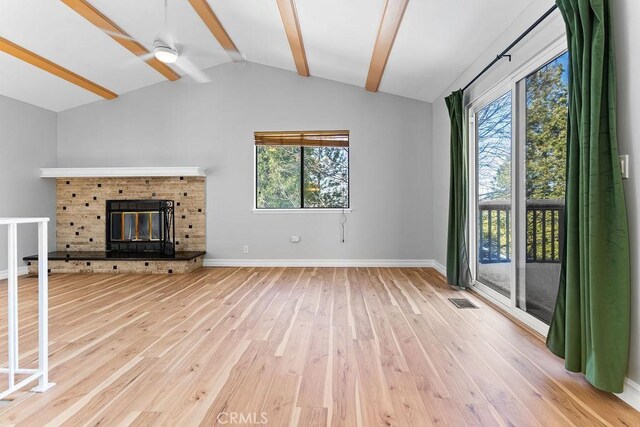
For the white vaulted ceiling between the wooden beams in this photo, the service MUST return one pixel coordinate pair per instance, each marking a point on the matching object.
(437, 41)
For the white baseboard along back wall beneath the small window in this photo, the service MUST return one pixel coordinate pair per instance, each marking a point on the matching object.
(208, 262)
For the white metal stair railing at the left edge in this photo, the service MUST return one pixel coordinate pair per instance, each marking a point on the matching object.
(13, 369)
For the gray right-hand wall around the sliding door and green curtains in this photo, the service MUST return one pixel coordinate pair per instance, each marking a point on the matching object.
(626, 15)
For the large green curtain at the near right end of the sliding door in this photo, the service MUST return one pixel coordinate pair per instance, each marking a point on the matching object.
(590, 326)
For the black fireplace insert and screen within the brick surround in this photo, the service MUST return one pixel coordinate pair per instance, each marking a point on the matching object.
(140, 226)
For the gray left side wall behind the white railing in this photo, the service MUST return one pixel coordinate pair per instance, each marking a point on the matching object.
(28, 142)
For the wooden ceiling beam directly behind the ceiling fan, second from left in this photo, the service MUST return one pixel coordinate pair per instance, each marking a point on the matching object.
(91, 14)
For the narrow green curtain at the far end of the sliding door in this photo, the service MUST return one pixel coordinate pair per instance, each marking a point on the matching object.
(458, 273)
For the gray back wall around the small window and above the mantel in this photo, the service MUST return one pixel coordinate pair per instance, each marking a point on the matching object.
(212, 125)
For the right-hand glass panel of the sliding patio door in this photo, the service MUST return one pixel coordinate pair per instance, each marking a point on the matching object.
(543, 135)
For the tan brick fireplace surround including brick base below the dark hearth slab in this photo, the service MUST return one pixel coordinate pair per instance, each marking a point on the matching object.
(81, 216)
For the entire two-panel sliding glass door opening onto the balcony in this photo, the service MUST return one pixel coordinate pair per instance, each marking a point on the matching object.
(518, 134)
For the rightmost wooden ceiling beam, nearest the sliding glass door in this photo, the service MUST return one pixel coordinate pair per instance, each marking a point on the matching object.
(389, 25)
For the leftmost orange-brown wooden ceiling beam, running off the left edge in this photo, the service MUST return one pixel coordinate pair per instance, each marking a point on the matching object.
(53, 68)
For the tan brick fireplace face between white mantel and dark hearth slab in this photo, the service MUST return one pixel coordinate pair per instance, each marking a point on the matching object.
(81, 208)
